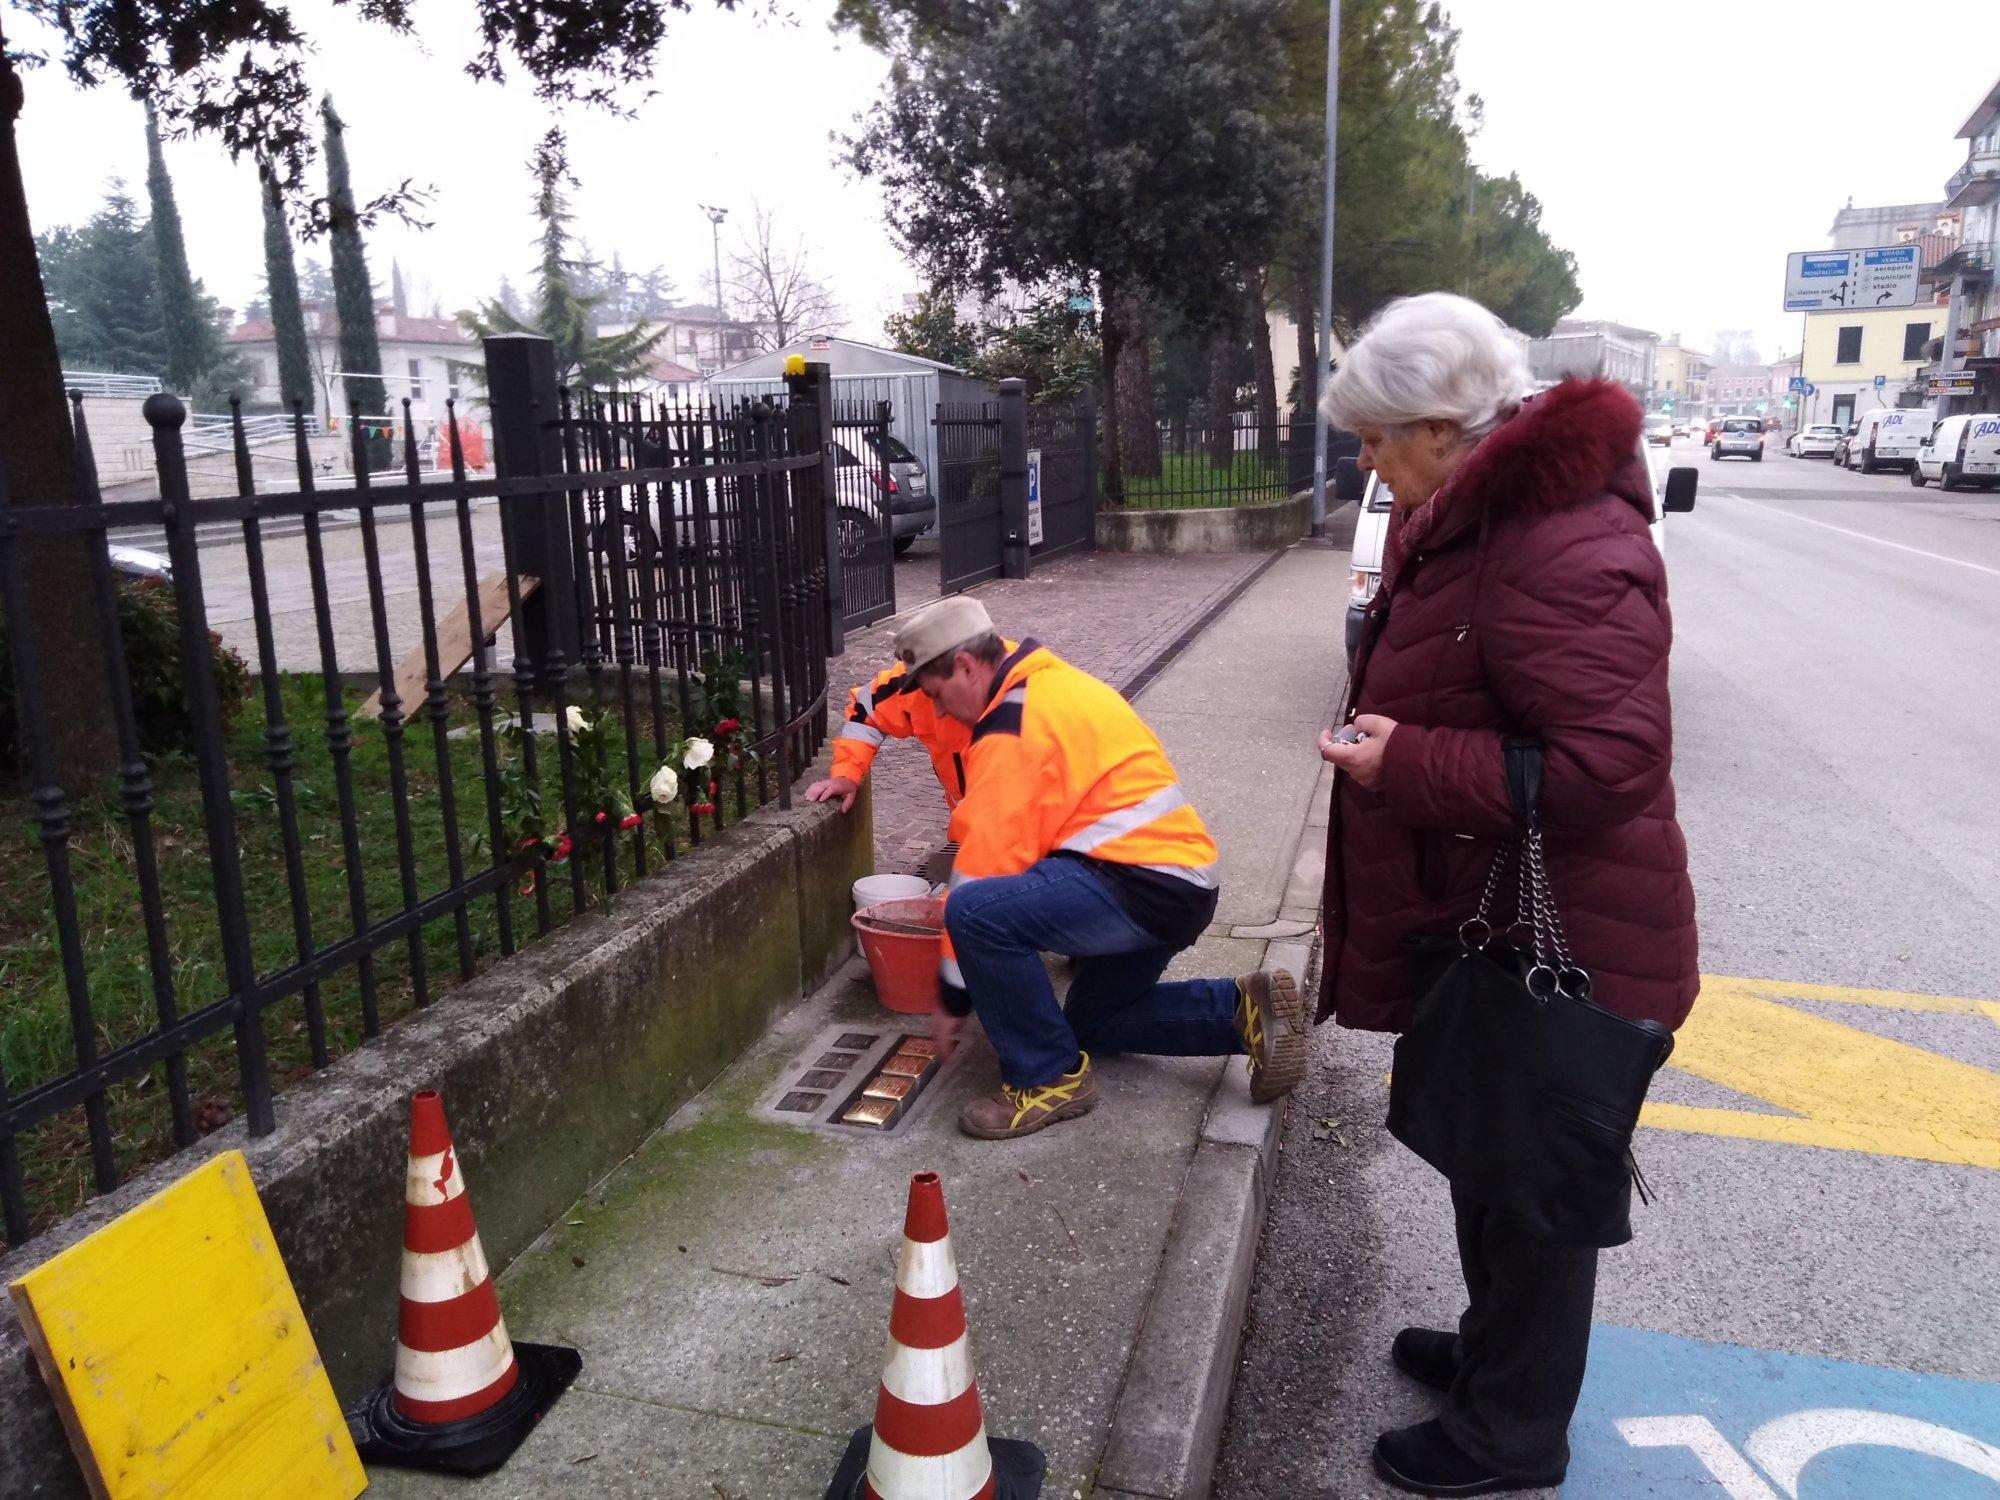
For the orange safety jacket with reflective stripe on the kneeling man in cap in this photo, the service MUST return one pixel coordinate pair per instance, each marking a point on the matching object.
(1063, 765)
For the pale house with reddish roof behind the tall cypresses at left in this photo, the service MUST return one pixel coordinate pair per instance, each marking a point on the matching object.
(423, 359)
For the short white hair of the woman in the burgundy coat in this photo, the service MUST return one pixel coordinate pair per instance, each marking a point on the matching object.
(1429, 359)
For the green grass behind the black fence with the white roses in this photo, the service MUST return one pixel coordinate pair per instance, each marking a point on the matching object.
(35, 1011)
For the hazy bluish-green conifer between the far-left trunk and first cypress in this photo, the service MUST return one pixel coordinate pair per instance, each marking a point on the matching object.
(105, 293)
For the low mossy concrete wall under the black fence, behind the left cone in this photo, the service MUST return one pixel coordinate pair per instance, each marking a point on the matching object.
(555, 1065)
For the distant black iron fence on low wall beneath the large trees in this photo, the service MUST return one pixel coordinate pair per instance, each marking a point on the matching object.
(1237, 463)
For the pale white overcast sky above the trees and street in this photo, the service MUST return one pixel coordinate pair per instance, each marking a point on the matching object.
(1679, 151)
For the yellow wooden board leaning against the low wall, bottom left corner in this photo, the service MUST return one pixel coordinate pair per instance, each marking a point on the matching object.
(181, 1359)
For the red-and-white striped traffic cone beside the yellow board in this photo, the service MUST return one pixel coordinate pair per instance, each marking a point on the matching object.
(465, 1395)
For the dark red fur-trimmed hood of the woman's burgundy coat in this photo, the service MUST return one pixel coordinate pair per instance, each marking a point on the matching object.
(1561, 449)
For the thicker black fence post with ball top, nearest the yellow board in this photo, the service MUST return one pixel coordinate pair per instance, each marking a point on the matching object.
(165, 415)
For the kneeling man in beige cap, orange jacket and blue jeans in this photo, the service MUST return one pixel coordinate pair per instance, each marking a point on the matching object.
(1075, 837)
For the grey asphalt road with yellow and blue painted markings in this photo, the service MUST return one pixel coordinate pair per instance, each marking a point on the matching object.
(1813, 1307)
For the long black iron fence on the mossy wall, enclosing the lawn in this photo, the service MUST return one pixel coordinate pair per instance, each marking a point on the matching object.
(471, 707)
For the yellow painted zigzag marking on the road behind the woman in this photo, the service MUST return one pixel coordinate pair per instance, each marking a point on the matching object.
(1841, 1087)
